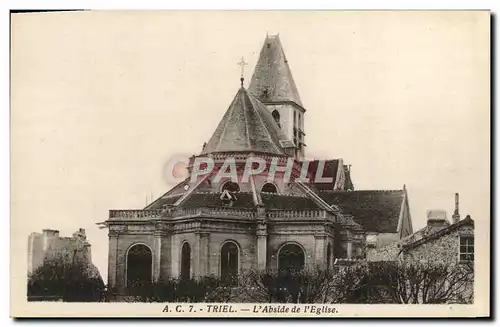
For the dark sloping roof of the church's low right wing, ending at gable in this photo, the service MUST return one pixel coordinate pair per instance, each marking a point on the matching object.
(376, 211)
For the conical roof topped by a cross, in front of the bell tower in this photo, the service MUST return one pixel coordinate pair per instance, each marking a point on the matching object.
(247, 126)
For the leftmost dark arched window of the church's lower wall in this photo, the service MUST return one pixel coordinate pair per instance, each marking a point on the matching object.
(139, 266)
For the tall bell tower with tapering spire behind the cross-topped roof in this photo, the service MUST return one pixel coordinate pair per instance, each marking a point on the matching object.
(272, 83)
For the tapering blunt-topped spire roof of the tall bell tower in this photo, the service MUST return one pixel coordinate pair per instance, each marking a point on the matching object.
(272, 79)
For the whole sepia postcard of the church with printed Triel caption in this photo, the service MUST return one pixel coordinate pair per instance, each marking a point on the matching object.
(250, 163)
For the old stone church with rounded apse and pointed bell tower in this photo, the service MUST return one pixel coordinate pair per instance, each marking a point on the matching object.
(213, 225)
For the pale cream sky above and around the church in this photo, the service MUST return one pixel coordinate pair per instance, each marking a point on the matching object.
(101, 101)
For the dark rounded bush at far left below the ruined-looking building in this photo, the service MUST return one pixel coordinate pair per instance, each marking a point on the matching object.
(69, 280)
